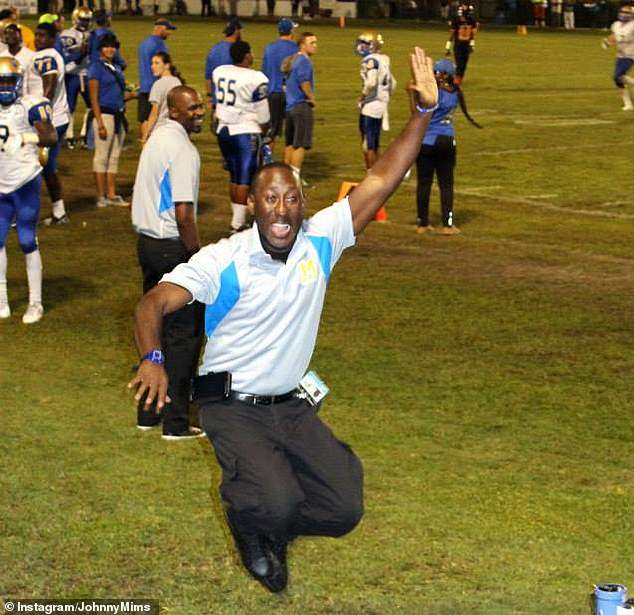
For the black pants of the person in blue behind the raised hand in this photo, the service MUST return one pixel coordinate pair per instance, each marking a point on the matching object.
(439, 158)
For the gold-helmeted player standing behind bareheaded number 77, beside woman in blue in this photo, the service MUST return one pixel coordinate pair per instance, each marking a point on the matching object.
(75, 44)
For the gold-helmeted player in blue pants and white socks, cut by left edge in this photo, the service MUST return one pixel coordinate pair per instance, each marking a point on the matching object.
(25, 124)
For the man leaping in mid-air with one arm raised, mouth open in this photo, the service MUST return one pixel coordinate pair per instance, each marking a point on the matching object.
(284, 472)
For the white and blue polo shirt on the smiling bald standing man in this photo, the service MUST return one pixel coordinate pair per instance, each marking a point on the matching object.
(168, 173)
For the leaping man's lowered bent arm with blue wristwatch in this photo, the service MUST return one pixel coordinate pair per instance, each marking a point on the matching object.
(151, 377)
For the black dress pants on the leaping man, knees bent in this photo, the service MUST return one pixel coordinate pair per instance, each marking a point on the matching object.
(284, 474)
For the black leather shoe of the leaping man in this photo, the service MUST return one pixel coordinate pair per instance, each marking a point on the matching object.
(261, 564)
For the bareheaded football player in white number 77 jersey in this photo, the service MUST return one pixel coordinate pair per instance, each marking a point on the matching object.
(49, 66)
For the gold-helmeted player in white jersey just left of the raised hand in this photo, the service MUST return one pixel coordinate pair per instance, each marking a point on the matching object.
(377, 86)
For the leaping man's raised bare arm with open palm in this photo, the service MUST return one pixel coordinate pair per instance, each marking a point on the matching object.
(388, 171)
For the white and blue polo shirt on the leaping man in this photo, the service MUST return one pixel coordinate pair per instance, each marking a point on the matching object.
(262, 315)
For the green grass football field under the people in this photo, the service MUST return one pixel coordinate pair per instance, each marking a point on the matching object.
(485, 379)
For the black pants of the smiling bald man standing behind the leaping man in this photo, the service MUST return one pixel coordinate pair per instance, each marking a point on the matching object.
(181, 337)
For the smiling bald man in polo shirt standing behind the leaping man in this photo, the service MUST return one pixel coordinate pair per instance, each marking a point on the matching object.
(164, 207)
